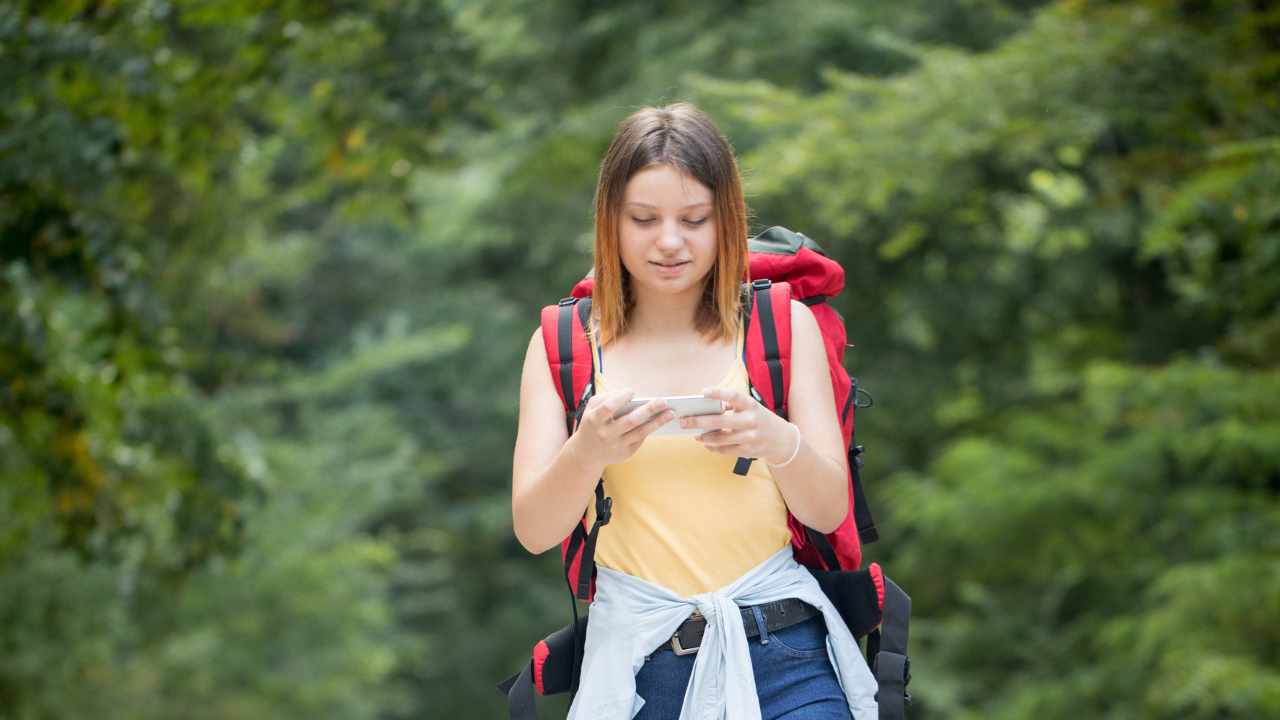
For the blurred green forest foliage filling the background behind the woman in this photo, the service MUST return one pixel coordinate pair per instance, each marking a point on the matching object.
(269, 270)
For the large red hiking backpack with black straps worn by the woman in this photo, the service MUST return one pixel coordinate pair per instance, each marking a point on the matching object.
(785, 266)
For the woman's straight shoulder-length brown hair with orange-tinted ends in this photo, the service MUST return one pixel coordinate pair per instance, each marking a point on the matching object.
(684, 138)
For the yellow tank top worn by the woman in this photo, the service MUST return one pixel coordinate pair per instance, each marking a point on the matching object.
(682, 518)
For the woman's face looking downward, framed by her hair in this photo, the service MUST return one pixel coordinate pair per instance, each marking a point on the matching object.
(668, 231)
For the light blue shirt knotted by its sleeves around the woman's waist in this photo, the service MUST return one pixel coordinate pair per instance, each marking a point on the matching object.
(632, 617)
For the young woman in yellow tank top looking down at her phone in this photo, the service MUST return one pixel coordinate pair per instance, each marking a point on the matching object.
(694, 555)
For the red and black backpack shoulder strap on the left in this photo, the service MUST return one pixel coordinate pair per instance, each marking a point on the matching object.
(569, 354)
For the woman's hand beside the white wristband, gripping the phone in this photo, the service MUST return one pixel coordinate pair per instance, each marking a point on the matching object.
(746, 430)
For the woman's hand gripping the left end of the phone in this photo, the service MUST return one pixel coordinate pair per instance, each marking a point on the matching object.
(606, 440)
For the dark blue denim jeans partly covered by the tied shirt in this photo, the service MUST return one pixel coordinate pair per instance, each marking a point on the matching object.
(794, 678)
